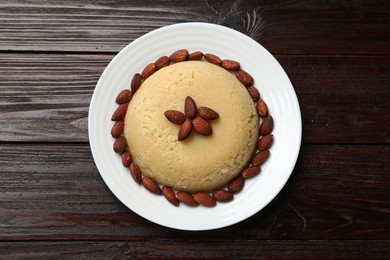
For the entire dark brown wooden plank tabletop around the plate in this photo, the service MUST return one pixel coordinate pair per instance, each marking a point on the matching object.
(54, 204)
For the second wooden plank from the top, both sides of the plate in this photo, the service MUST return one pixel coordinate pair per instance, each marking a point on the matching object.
(46, 97)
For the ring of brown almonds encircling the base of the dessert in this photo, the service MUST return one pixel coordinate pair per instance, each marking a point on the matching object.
(199, 198)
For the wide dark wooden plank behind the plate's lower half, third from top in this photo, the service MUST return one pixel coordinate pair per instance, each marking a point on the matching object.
(53, 191)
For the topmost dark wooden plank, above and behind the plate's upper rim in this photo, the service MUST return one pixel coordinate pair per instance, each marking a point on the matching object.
(283, 27)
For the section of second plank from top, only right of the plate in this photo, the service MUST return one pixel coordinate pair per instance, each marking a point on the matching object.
(342, 99)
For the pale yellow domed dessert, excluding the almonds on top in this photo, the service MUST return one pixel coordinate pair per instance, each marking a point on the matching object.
(198, 163)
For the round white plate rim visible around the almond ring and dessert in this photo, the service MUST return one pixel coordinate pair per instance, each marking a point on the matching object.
(275, 88)
